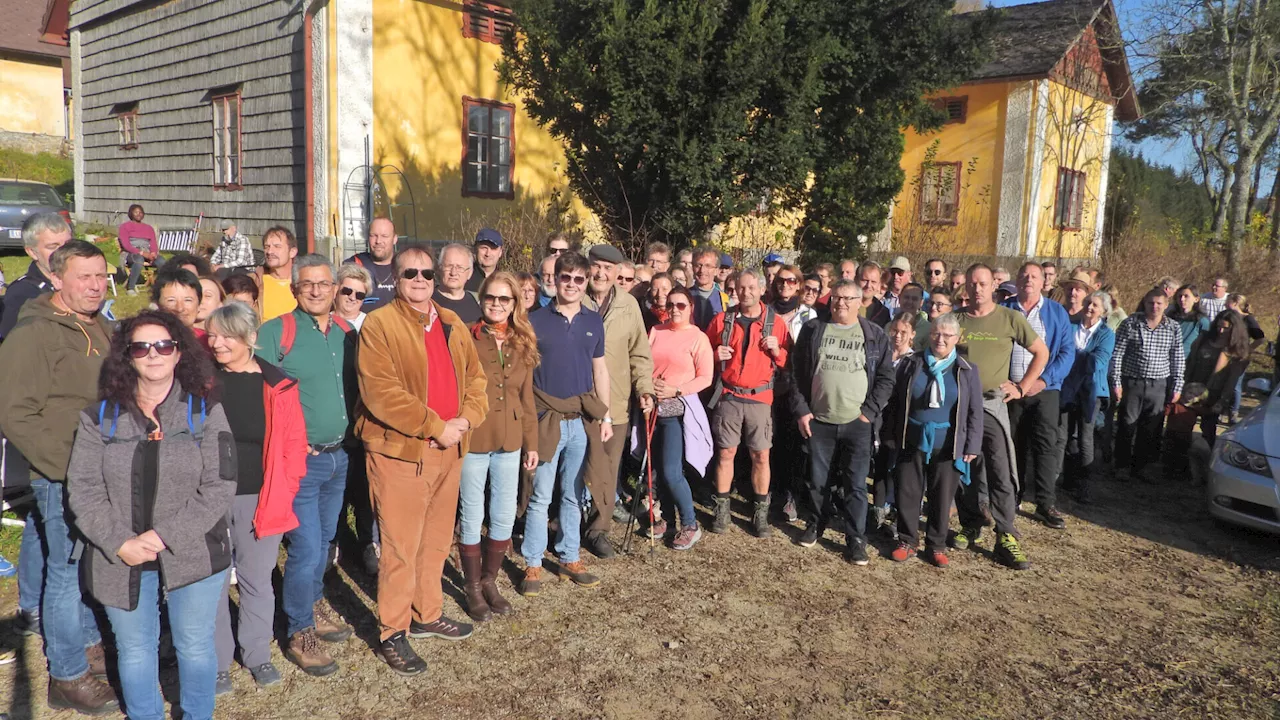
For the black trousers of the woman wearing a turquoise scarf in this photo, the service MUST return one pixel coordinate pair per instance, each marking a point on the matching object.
(913, 476)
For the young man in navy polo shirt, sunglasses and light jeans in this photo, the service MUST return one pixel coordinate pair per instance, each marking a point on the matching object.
(572, 391)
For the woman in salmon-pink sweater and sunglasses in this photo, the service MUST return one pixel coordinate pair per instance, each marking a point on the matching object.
(683, 366)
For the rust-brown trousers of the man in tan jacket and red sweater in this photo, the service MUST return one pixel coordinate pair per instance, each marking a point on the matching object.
(415, 505)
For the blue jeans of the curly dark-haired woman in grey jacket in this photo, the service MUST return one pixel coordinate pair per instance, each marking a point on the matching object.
(138, 642)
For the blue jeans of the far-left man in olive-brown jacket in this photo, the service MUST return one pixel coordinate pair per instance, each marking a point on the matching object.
(70, 626)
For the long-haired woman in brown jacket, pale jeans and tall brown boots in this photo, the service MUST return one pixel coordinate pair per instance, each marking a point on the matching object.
(509, 353)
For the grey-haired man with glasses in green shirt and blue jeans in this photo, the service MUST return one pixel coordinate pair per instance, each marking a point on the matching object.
(321, 358)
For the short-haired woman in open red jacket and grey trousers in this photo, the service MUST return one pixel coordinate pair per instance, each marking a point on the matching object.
(266, 416)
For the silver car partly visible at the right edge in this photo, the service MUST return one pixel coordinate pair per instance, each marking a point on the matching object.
(1245, 471)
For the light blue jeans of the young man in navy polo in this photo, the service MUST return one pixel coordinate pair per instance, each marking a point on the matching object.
(566, 464)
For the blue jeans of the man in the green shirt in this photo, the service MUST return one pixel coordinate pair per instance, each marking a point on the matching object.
(318, 505)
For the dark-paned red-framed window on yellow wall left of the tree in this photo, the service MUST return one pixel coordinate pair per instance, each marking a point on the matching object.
(488, 147)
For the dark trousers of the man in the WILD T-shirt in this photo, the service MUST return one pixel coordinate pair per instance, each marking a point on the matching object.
(840, 455)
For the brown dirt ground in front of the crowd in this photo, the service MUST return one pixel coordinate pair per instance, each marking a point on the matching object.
(1141, 609)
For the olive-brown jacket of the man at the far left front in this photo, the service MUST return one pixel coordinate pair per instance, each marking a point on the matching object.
(52, 362)
